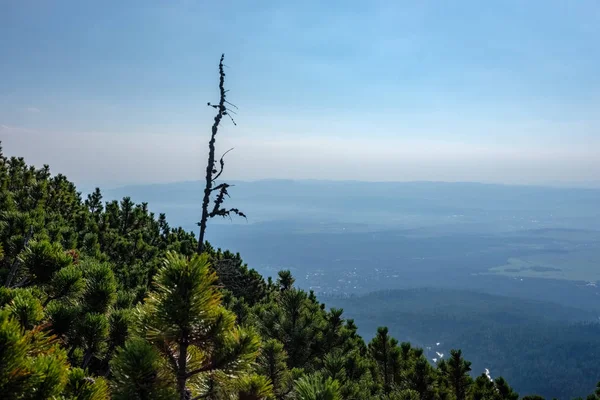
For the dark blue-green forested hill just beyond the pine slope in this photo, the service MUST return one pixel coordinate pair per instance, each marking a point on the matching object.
(539, 347)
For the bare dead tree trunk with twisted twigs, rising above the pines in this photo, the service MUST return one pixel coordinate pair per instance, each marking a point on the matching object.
(213, 172)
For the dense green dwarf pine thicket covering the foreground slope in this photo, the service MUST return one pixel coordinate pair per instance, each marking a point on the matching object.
(104, 300)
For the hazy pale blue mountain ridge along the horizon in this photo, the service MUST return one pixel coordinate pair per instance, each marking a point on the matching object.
(406, 204)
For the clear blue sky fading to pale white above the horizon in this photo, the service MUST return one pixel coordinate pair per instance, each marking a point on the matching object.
(115, 92)
